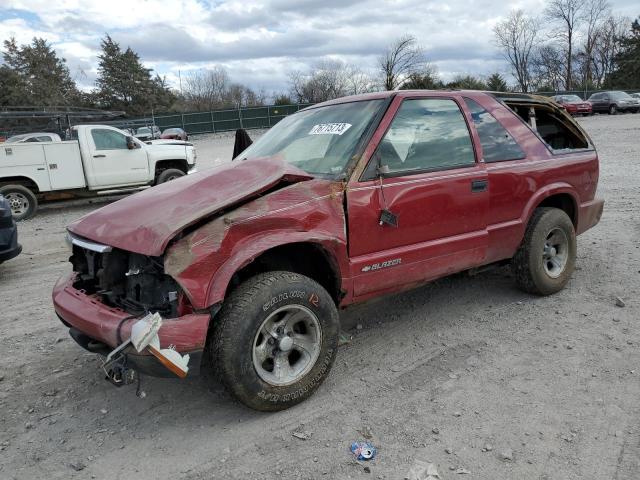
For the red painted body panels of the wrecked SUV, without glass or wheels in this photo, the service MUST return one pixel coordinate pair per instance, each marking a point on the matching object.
(443, 226)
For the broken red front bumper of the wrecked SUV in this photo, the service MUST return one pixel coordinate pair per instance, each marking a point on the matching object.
(100, 328)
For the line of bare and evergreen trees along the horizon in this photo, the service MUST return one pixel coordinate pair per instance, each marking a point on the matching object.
(582, 46)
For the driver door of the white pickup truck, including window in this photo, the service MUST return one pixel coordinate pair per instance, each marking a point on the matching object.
(113, 162)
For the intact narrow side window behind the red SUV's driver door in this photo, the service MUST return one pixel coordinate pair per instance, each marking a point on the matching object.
(497, 144)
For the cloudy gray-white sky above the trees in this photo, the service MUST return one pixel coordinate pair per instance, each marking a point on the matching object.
(260, 42)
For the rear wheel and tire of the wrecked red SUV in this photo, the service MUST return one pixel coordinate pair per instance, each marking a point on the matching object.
(546, 258)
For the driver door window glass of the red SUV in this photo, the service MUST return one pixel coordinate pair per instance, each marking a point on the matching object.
(427, 134)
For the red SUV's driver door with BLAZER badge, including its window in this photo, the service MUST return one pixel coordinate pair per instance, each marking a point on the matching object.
(433, 186)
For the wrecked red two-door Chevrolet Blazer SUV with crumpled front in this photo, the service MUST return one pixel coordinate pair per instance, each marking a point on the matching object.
(342, 202)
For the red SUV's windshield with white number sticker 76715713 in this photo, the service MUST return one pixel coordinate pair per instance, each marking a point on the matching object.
(319, 140)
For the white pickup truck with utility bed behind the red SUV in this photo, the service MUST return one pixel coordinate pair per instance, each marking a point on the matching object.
(102, 159)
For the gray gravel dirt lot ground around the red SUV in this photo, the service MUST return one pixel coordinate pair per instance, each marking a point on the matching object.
(469, 373)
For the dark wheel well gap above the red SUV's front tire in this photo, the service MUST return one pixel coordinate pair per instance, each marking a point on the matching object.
(308, 259)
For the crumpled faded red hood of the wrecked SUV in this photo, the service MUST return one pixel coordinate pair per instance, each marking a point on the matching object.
(147, 221)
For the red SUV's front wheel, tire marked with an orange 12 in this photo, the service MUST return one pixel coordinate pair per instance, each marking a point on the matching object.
(243, 352)
